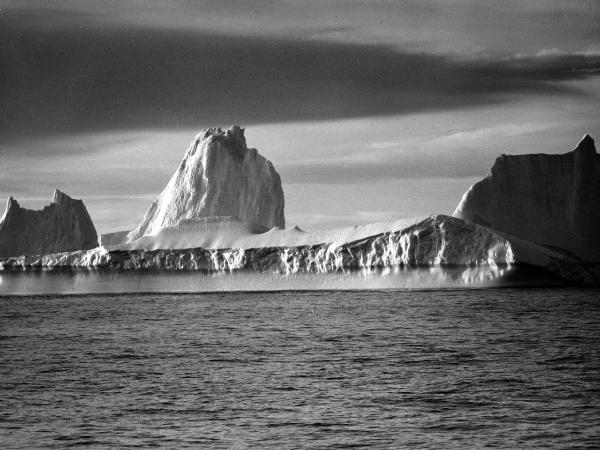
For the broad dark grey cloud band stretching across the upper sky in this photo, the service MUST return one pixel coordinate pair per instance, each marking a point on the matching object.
(69, 79)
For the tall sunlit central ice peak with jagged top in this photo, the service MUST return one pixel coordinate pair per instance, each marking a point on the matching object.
(219, 176)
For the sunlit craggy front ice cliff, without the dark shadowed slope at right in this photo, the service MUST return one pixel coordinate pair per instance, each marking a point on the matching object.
(435, 241)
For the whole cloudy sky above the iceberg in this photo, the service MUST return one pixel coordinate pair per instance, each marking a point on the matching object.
(369, 110)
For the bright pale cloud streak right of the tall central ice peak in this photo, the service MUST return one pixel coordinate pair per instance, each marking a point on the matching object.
(456, 148)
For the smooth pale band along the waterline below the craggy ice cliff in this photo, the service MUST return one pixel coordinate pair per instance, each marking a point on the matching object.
(107, 281)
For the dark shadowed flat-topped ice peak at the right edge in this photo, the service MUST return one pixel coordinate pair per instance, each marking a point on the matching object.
(551, 200)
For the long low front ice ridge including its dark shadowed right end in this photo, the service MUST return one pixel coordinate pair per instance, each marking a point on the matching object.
(436, 242)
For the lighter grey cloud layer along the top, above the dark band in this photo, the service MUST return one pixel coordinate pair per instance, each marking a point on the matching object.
(441, 27)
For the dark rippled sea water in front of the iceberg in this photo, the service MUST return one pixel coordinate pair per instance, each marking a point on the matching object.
(500, 367)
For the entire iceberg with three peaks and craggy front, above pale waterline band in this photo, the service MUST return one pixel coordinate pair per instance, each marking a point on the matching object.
(223, 211)
